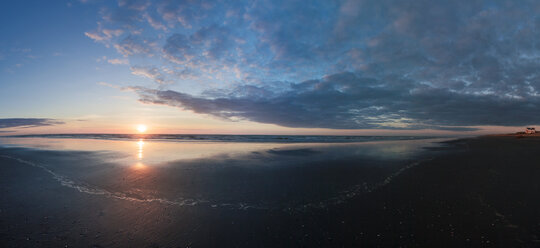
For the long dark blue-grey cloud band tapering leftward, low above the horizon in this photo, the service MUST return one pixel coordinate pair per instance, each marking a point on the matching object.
(349, 101)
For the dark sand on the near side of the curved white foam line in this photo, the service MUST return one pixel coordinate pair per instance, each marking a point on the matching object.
(473, 192)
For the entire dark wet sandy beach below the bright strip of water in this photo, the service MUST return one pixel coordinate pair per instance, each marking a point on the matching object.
(459, 193)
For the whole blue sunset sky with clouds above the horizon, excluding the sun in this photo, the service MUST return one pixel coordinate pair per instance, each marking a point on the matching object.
(270, 67)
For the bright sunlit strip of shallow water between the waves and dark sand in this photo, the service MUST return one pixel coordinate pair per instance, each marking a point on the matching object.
(160, 153)
